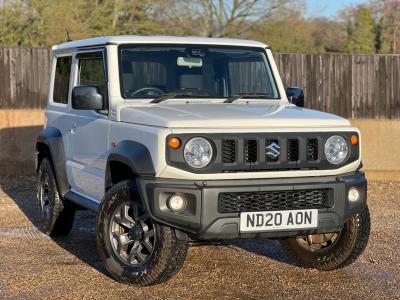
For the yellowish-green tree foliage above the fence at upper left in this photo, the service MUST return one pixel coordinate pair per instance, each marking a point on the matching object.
(42, 23)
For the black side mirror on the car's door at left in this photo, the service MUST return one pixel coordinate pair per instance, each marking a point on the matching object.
(87, 98)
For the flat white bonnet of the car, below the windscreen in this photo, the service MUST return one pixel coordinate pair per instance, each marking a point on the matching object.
(229, 115)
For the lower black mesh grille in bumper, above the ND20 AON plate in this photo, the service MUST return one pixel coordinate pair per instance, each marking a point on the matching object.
(272, 200)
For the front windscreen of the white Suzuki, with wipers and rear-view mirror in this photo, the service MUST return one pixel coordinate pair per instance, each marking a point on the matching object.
(201, 71)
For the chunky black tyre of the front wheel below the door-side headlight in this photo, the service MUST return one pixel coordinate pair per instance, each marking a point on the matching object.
(167, 257)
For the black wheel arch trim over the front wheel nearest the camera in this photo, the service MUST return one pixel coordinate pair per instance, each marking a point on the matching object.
(133, 154)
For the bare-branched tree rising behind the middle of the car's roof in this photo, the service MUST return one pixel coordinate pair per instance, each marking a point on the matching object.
(219, 18)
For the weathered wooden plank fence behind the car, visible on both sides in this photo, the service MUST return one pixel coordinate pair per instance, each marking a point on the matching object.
(353, 86)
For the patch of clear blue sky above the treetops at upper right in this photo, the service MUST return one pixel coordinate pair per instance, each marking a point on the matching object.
(328, 8)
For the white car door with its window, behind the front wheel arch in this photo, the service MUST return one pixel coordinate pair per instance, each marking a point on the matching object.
(88, 135)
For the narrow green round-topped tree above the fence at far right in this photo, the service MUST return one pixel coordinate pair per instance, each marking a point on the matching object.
(361, 31)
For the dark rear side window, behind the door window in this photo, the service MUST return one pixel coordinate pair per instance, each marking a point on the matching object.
(61, 79)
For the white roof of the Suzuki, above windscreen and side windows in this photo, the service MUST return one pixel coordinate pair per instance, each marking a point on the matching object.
(134, 39)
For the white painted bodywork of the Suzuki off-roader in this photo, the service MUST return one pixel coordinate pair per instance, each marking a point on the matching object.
(150, 124)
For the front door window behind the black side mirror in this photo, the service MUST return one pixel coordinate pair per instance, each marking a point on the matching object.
(92, 72)
